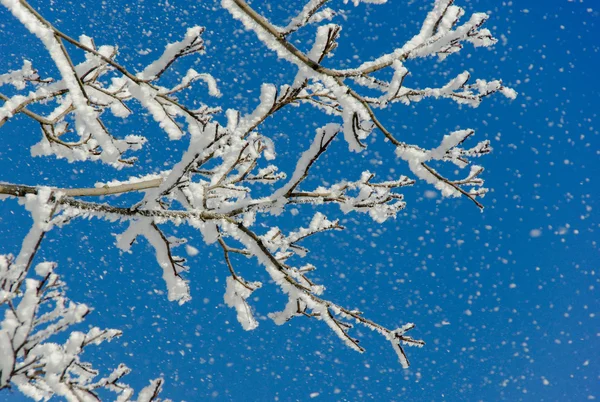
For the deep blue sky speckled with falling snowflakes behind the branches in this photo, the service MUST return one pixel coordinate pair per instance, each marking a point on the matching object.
(506, 300)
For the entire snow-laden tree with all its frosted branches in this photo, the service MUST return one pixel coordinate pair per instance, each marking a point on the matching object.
(227, 182)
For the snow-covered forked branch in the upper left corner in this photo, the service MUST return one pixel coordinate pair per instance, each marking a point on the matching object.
(85, 91)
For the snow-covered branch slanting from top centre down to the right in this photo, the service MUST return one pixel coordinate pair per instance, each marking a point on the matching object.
(439, 35)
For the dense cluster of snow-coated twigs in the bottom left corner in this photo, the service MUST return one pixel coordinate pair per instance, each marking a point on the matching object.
(41, 368)
